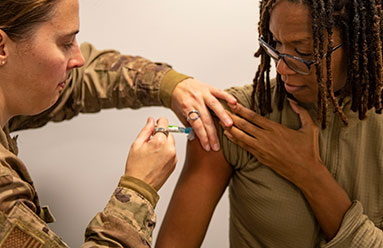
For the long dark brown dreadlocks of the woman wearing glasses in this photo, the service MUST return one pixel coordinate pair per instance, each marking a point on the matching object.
(361, 25)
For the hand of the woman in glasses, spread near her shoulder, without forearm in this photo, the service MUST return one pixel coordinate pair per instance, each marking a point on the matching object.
(293, 154)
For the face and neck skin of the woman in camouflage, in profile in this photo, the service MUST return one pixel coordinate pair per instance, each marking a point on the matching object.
(36, 69)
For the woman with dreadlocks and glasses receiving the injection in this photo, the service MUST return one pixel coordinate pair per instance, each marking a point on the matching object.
(305, 169)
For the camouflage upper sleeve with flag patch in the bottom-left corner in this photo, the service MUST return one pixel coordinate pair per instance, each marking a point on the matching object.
(23, 223)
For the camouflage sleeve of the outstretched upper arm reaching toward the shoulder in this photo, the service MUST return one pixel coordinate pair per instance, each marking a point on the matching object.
(108, 79)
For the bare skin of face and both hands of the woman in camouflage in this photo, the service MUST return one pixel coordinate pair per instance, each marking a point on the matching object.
(35, 73)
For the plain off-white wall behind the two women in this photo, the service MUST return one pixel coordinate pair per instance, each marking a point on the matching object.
(77, 164)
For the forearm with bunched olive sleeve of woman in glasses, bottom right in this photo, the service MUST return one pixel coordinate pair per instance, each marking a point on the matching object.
(342, 221)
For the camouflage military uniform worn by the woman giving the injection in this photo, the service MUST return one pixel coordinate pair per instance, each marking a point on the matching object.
(107, 80)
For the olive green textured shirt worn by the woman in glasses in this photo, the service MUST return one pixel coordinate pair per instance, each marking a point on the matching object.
(266, 210)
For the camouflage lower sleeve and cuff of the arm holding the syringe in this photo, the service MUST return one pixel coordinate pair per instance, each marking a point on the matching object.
(128, 219)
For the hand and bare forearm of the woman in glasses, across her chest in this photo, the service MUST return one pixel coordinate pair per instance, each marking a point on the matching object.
(293, 154)
